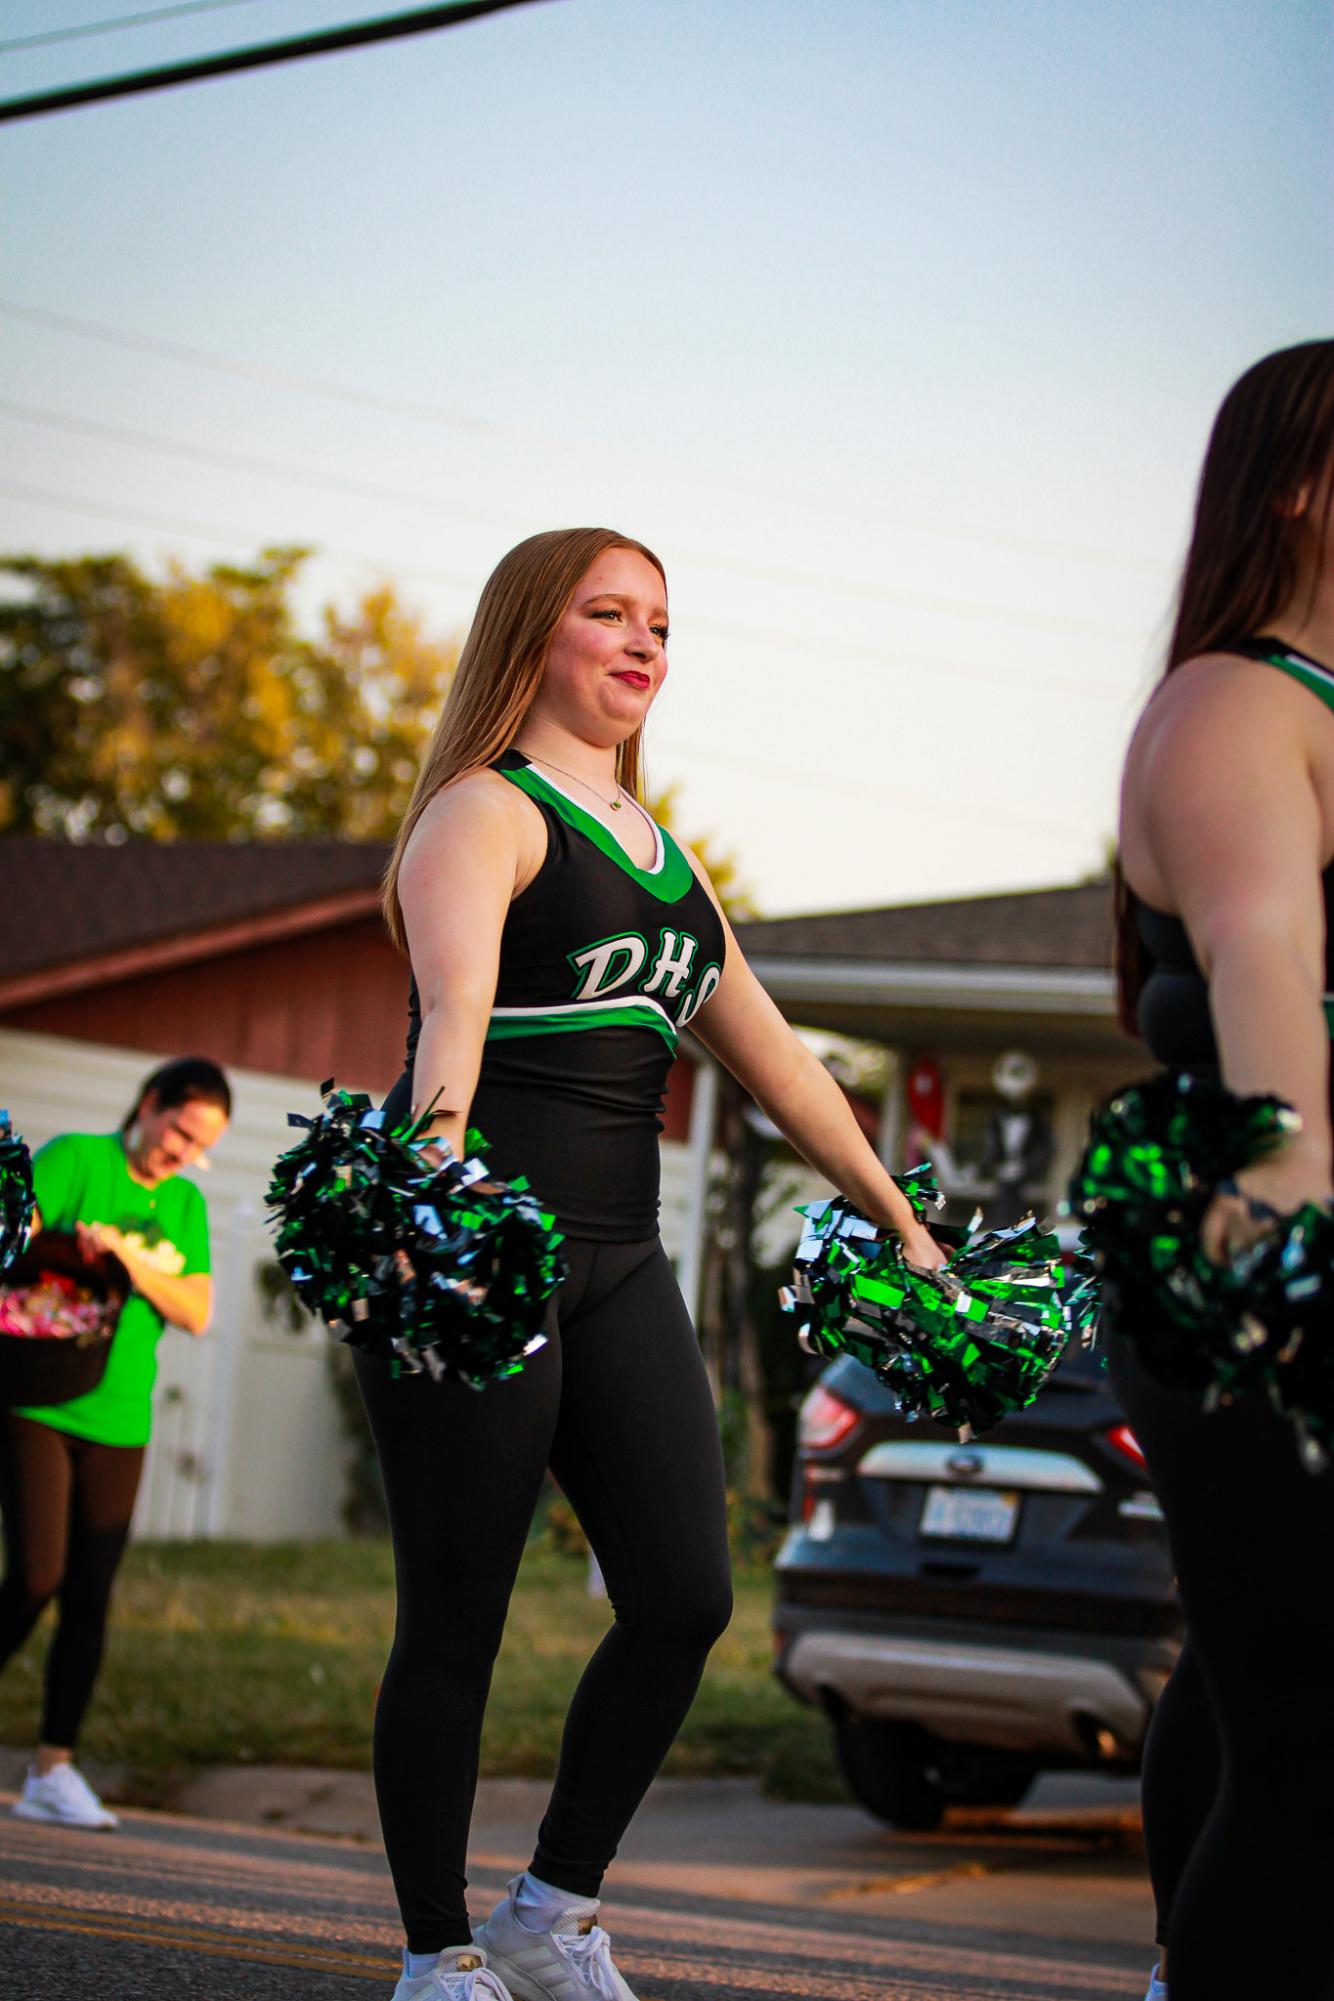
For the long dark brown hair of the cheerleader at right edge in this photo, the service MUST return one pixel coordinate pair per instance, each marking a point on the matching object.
(1273, 439)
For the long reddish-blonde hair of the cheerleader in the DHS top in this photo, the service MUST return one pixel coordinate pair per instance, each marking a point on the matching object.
(499, 673)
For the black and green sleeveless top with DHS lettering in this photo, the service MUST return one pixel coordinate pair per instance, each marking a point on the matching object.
(603, 963)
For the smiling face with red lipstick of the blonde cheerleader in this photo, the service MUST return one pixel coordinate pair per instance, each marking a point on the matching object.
(609, 653)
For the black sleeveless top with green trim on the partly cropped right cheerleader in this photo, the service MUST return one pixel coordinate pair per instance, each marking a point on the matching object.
(1173, 1012)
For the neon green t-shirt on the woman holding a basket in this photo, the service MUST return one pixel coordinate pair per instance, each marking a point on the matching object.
(83, 1178)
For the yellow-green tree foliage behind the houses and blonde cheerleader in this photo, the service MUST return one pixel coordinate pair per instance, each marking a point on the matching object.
(195, 707)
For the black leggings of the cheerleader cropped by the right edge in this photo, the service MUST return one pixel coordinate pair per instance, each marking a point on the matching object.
(1239, 1766)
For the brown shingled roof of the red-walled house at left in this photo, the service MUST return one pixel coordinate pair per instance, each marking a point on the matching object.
(69, 903)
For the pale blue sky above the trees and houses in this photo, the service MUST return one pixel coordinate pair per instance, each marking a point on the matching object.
(895, 327)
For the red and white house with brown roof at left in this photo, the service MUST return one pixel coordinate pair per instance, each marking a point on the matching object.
(273, 961)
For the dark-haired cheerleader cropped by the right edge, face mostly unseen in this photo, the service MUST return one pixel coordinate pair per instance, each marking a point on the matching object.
(1229, 969)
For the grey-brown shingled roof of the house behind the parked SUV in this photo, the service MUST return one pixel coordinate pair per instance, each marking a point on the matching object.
(1039, 927)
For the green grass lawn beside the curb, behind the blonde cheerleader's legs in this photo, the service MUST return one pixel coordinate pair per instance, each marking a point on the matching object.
(271, 1654)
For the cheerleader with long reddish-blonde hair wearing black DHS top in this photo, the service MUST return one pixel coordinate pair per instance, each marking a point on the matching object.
(561, 941)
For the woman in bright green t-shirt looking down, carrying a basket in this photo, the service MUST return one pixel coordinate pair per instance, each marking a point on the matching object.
(71, 1472)
